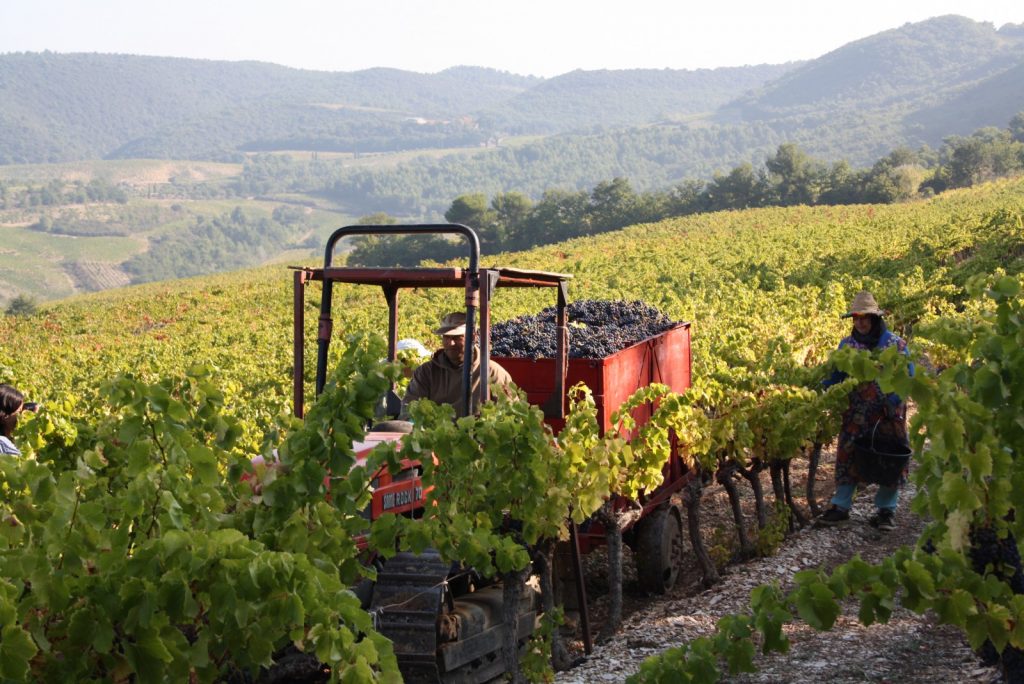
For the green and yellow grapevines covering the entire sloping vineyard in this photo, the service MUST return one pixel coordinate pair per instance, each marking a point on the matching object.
(133, 546)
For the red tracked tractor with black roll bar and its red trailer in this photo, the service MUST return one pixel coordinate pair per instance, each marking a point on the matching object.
(450, 631)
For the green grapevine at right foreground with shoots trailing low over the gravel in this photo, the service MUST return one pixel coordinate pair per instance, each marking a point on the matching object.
(969, 416)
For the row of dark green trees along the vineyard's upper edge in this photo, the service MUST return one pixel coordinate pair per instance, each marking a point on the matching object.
(513, 221)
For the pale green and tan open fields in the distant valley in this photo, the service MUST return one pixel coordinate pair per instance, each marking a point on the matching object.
(87, 245)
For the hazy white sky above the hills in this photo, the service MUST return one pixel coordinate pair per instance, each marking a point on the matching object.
(540, 37)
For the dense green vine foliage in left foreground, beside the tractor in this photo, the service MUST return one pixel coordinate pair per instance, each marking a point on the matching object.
(125, 550)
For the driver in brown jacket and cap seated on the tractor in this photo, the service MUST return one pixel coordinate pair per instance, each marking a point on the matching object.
(440, 379)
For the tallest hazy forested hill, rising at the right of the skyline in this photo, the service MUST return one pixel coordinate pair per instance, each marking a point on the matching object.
(914, 85)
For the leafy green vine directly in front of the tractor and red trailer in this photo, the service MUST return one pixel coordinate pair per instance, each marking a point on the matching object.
(466, 517)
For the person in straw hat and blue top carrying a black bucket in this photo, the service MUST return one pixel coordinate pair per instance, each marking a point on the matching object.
(870, 410)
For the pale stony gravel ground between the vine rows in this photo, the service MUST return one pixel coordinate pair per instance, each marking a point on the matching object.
(909, 649)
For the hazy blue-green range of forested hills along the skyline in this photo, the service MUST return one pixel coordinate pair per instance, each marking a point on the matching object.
(912, 87)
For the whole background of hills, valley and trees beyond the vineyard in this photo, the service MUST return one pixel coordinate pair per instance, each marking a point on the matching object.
(907, 113)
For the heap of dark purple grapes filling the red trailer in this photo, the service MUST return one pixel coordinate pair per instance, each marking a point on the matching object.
(598, 329)
